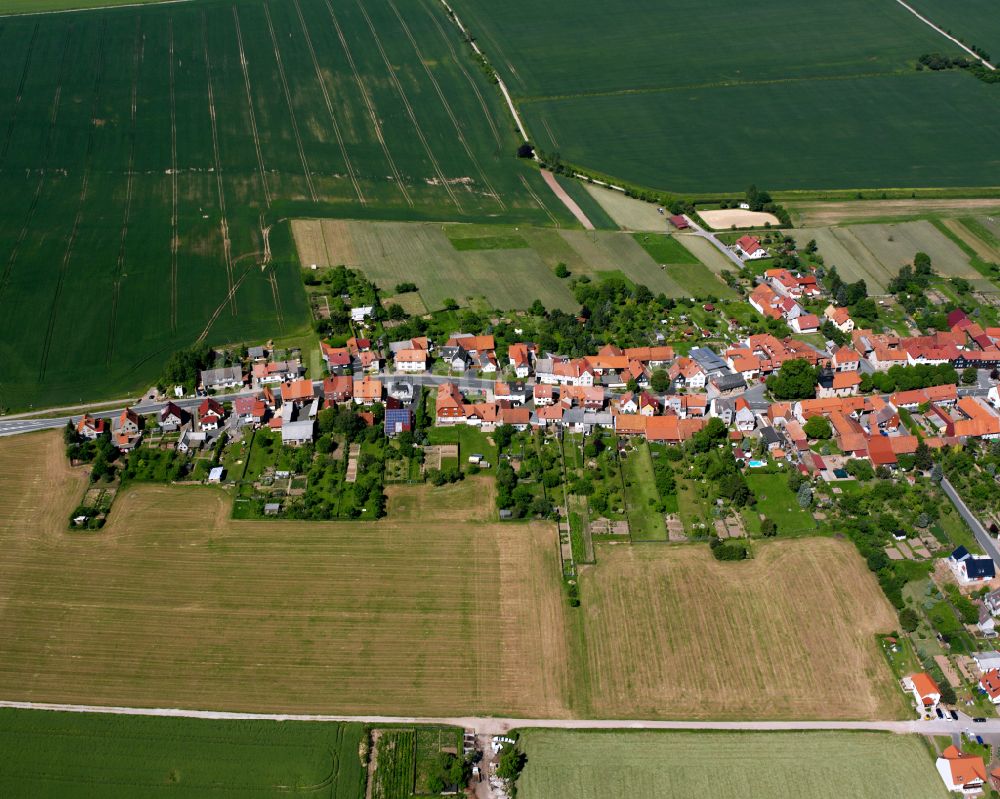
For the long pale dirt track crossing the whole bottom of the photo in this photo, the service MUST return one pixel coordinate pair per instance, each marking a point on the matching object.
(496, 725)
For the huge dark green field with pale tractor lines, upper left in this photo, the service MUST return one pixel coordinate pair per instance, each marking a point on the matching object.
(146, 152)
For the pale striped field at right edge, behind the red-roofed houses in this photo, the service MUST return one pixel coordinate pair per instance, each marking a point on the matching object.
(874, 253)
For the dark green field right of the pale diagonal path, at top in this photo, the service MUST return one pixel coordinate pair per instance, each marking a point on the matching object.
(696, 97)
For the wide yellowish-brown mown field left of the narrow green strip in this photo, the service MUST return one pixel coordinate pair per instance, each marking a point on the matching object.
(174, 604)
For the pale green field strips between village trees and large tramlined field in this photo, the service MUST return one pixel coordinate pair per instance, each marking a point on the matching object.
(424, 253)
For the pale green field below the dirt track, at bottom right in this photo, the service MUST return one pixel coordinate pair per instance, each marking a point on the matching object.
(739, 765)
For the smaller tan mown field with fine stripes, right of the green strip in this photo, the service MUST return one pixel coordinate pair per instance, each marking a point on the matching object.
(673, 632)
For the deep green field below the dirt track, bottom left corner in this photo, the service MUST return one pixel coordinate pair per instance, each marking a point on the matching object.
(49, 754)
